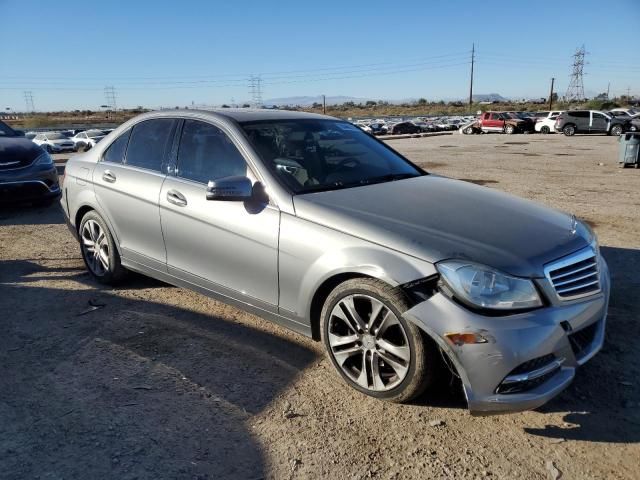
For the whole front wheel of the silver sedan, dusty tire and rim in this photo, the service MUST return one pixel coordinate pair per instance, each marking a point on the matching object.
(397, 376)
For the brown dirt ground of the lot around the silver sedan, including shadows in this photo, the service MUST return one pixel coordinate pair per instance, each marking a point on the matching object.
(149, 381)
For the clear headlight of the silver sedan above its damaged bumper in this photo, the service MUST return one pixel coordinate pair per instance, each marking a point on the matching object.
(484, 287)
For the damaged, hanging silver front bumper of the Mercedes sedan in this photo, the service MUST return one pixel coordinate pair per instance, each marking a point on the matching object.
(526, 358)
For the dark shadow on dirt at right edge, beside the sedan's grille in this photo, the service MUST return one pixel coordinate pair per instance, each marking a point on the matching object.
(603, 402)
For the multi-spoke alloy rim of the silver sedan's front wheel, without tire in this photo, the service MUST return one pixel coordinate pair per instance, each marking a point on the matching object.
(368, 342)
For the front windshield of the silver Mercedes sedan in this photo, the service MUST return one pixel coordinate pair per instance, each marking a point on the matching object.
(316, 155)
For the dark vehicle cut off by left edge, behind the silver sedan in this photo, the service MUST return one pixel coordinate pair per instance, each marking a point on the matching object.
(27, 172)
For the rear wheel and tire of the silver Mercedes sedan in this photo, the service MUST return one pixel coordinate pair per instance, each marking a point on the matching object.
(104, 264)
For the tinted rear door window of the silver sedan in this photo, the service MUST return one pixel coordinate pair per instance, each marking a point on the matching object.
(150, 142)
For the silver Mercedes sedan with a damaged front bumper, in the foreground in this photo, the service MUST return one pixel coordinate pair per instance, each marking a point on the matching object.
(308, 221)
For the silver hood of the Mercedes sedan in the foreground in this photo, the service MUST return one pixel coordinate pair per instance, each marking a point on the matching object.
(436, 218)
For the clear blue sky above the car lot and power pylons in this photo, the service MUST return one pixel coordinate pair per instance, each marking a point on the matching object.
(166, 53)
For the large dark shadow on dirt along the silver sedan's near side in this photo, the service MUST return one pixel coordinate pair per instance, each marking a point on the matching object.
(106, 381)
